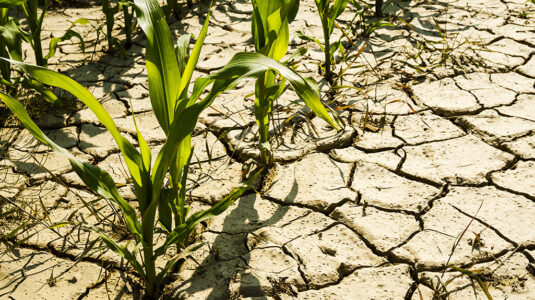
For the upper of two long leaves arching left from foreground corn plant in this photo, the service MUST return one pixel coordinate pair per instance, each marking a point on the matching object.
(131, 155)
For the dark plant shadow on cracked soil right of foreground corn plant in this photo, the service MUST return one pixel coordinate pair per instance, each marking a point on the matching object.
(214, 276)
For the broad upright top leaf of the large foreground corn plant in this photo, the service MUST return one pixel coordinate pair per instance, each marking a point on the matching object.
(162, 66)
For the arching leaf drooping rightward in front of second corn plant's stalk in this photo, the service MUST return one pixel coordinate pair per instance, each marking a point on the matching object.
(252, 65)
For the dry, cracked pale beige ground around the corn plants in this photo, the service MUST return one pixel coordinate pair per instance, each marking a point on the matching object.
(434, 170)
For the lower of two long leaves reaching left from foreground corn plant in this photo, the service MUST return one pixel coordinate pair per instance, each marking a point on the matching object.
(95, 178)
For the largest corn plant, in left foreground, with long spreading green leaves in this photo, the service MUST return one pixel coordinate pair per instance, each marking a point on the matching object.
(169, 71)
